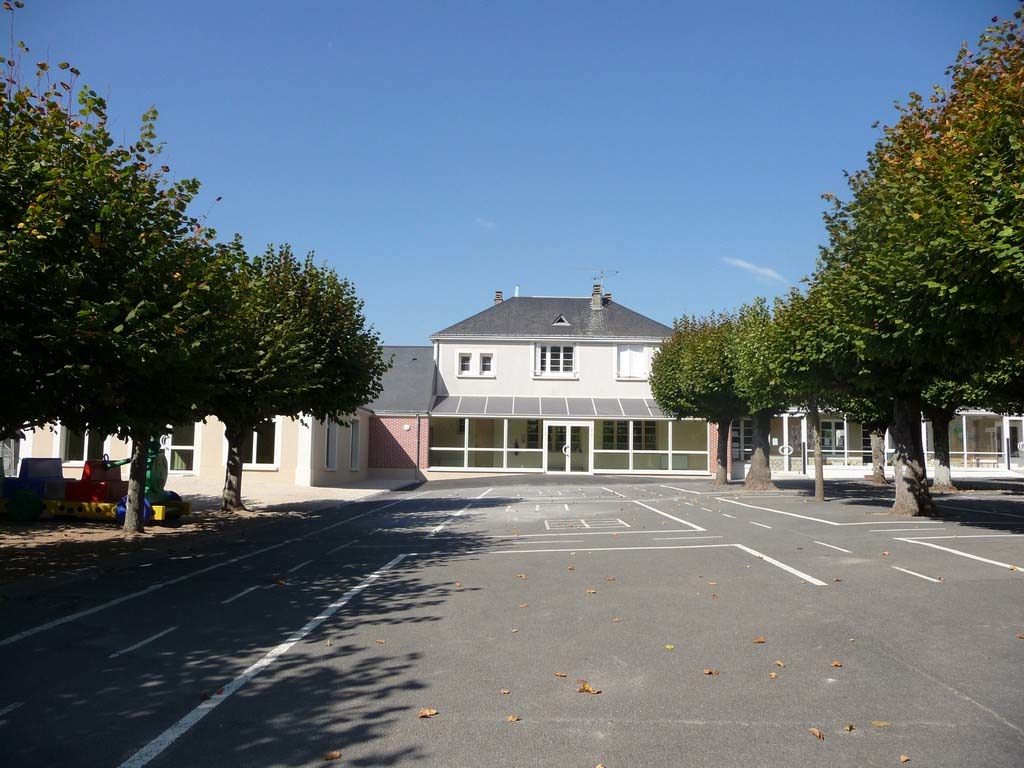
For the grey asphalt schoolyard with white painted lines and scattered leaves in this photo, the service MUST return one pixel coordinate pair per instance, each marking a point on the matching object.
(721, 629)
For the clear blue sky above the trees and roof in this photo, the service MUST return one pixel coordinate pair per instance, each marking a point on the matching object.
(434, 153)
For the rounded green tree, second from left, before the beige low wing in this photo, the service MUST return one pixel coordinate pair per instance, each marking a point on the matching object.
(293, 343)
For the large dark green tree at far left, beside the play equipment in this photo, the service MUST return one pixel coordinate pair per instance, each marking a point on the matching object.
(108, 287)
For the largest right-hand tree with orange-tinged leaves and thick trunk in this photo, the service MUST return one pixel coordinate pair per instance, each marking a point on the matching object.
(924, 271)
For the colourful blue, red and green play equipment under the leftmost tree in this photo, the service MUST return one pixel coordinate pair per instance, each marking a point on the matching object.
(40, 491)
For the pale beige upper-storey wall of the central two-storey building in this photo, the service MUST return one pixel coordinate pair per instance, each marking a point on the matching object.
(514, 366)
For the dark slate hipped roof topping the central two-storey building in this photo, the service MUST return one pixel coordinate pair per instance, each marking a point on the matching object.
(532, 317)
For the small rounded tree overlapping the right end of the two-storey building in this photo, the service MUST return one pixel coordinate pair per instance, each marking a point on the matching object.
(693, 376)
